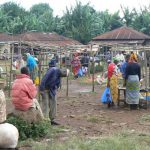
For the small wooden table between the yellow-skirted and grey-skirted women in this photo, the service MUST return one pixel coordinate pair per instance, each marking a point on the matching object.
(123, 89)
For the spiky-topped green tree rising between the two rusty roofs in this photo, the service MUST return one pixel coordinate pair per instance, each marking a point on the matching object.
(78, 22)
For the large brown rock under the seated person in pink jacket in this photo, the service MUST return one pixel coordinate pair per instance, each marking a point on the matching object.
(31, 116)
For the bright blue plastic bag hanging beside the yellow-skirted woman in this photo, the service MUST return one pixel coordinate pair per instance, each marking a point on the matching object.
(106, 96)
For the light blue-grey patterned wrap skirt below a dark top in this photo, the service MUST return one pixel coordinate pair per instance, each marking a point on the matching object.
(132, 89)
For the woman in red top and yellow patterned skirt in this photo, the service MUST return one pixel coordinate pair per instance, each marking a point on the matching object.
(113, 80)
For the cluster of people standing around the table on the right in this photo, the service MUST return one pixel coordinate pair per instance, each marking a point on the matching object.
(130, 69)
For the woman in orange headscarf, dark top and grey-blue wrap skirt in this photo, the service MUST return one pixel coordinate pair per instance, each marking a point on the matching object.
(132, 76)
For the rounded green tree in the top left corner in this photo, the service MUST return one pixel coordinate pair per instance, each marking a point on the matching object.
(12, 17)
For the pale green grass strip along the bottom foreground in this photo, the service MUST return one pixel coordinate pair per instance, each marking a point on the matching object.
(115, 142)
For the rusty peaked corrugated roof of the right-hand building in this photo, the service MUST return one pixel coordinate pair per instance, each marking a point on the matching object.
(122, 33)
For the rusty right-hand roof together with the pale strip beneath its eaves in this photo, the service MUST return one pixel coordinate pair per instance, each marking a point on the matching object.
(122, 35)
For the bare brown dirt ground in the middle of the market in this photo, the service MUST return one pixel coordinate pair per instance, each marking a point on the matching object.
(83, 114)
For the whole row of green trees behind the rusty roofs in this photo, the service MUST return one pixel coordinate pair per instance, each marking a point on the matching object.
(81, 22)
